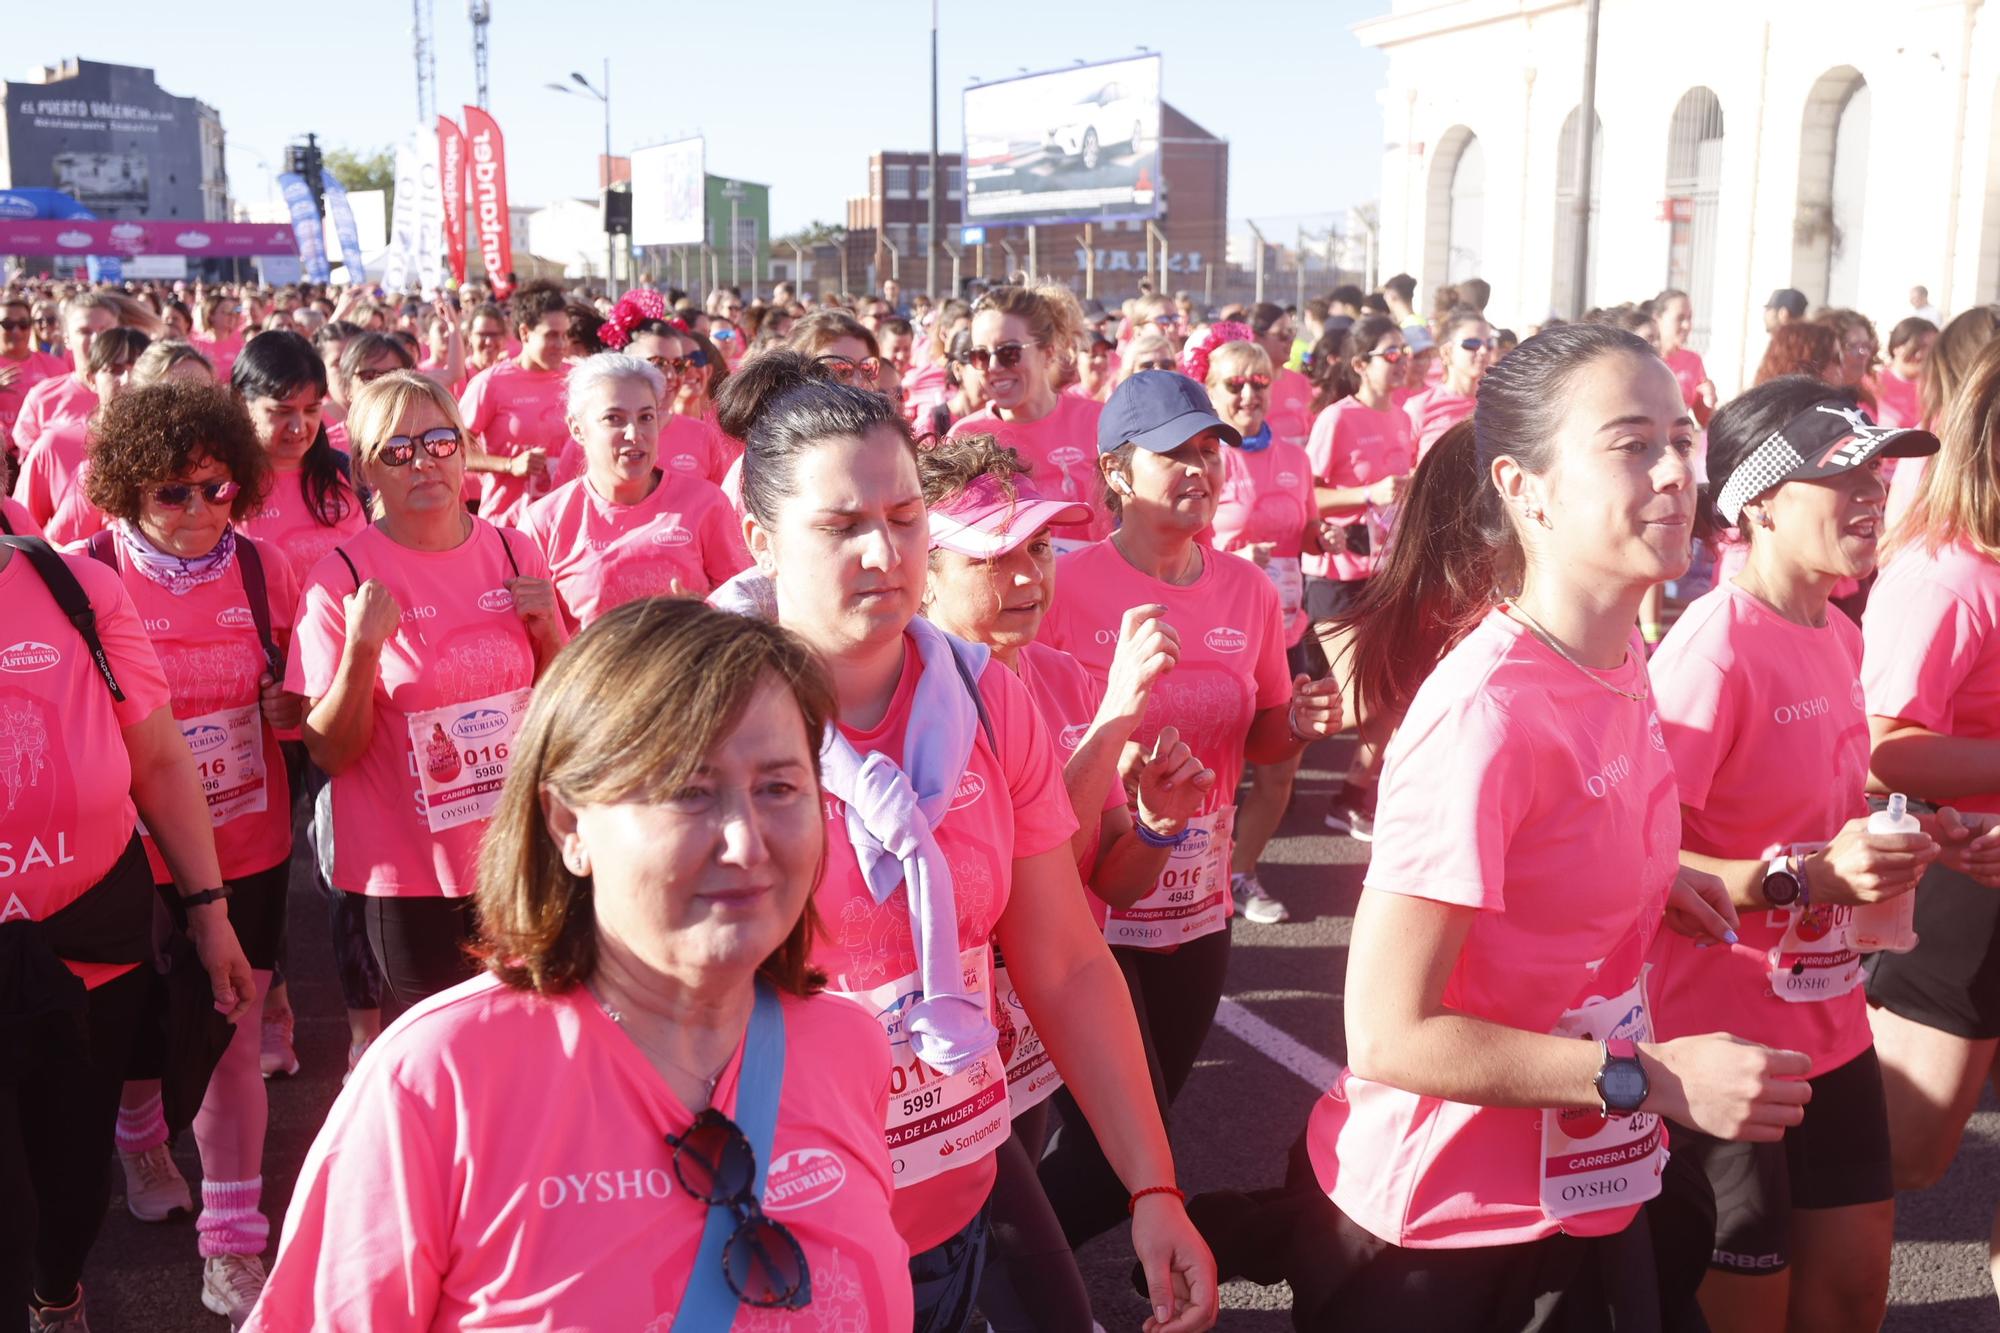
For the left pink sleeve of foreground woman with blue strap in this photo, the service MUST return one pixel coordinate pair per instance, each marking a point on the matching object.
(367, 1240)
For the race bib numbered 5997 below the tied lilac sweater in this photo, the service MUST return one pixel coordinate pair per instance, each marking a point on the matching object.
(939, 1122)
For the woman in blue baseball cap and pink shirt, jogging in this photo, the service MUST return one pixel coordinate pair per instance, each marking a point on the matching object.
(1231, 700)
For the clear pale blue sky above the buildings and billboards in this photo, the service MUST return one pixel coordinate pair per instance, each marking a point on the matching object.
(787, 93)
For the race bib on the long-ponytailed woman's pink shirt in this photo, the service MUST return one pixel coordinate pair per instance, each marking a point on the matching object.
(1595, 1162)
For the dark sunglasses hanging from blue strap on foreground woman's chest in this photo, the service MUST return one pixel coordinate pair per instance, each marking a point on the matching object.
(761, 1262)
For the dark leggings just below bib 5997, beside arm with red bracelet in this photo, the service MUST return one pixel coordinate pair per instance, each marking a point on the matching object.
(1031, 1282)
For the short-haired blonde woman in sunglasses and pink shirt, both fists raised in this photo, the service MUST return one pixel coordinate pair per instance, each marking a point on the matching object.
(417, 647)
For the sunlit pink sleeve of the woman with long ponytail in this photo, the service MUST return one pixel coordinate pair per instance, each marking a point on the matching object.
(1455, 792)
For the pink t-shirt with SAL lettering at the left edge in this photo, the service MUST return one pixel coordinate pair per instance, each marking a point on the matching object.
(65, 774)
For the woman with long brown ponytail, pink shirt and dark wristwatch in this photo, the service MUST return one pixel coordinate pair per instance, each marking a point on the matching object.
(1483, 1160)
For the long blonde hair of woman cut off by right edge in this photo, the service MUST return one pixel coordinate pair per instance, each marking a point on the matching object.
(1959, 499)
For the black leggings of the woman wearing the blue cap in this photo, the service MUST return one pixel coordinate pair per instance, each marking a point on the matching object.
(1175, 998)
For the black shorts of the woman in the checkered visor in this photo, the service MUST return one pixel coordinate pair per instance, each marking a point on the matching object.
(1835, 1158)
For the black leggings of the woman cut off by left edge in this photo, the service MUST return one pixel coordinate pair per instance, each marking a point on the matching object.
(57, 1148)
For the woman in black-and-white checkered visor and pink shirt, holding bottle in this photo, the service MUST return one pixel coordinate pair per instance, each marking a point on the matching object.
(1759, 690)
